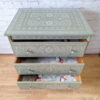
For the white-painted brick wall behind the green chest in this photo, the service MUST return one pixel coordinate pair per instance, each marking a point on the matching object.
(90, 8)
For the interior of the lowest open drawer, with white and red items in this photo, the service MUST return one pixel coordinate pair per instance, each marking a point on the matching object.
(49, 78)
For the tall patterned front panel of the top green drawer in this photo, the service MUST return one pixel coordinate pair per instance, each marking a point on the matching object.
(69, 49)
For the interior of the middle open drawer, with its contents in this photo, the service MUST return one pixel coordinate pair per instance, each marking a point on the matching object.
(49, 60)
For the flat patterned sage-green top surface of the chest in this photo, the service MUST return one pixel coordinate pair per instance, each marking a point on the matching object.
(48, 21)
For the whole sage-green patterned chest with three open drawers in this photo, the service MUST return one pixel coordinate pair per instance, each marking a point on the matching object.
(39, 36)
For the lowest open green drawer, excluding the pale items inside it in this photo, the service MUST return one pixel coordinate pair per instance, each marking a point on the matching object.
(27, 82)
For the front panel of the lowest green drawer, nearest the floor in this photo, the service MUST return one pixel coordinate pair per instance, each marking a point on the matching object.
(30, 85)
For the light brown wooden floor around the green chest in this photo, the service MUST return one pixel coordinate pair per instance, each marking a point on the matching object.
(90, 89)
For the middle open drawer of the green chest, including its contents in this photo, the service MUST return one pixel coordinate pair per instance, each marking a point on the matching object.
(49, 65)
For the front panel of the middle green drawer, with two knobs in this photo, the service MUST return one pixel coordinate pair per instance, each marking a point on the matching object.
(28, 69)
